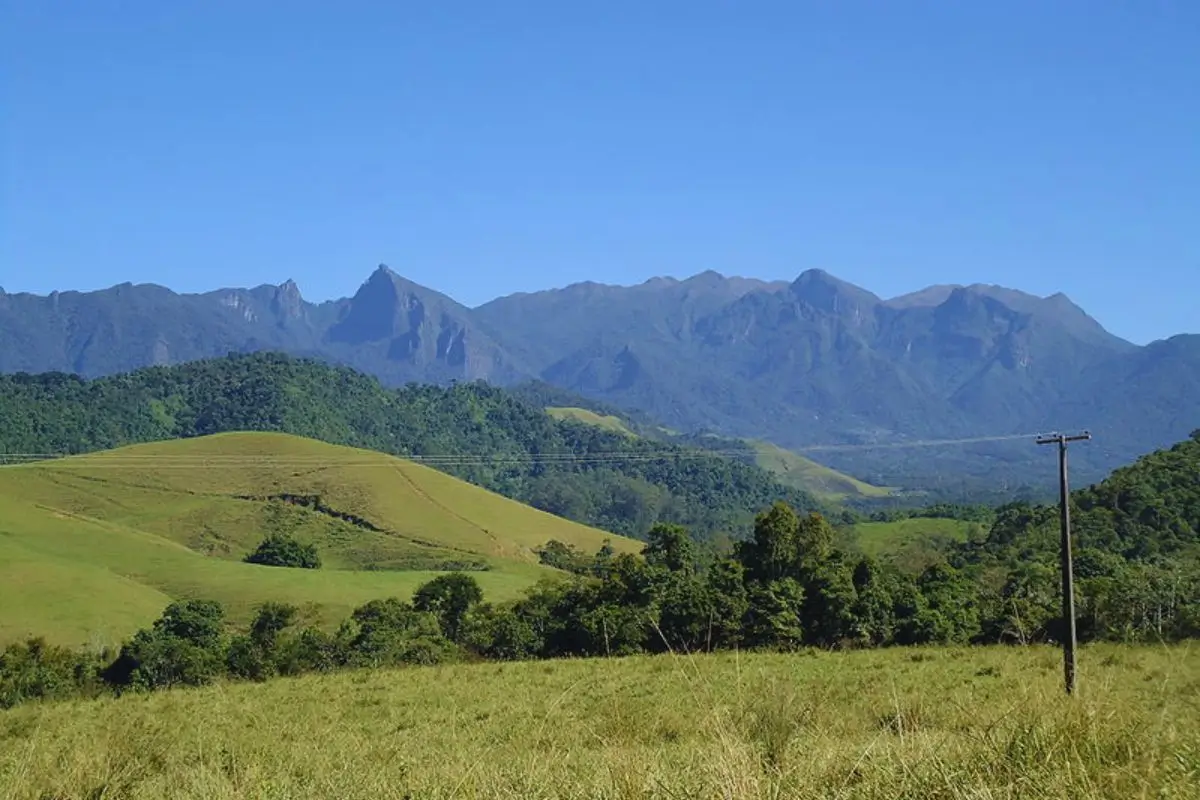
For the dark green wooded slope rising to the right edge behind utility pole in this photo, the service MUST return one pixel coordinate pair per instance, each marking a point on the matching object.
(1137, 543)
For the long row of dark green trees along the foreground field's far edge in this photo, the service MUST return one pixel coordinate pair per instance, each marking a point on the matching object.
(785, 588)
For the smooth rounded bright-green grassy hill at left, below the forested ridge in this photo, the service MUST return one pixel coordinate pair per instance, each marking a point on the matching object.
(93, 548)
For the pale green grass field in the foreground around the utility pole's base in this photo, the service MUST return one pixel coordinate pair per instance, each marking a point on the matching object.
(945, 724)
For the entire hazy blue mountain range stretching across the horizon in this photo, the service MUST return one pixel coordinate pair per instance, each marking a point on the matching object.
(814, 364)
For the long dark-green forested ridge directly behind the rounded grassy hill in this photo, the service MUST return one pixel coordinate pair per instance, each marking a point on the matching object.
(473, 431)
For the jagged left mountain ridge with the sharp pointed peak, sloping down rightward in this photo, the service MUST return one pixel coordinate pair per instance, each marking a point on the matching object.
(392, 328)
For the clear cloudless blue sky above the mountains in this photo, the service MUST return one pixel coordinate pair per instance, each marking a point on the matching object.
(487, 148)
